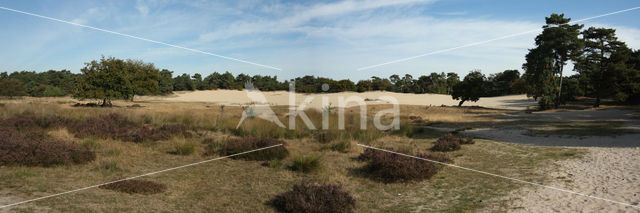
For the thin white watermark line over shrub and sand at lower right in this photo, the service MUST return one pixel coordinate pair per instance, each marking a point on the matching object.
(505, 177)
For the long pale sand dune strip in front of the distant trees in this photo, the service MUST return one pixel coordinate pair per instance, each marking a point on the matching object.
(236, 97)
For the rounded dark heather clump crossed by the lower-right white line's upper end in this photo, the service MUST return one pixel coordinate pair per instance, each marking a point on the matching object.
(391, 167)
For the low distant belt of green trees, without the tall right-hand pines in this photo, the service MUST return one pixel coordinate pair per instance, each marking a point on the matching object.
(111, 78)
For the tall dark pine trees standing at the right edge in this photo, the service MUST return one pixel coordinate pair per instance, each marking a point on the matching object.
(606, 67)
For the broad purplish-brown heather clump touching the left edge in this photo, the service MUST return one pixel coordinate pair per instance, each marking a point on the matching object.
(38, 149)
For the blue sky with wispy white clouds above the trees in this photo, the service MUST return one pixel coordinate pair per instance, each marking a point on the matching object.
(325, 38)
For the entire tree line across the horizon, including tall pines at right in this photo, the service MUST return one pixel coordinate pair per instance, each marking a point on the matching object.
(607, 69)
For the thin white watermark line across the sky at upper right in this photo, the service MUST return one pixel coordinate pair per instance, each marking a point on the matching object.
(488, 41)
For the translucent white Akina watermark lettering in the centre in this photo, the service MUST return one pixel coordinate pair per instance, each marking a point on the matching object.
(259, 108)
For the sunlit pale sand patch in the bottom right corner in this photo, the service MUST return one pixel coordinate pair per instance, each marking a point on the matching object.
(609, 173)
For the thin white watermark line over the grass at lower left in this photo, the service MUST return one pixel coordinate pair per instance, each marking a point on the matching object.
(143, 175)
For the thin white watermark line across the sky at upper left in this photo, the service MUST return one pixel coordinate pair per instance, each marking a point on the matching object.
(140, 38)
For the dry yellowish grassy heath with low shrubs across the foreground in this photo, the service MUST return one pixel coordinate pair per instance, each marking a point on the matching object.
(251, 183)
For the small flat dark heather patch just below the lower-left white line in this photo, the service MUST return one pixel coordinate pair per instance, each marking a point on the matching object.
(144, 187)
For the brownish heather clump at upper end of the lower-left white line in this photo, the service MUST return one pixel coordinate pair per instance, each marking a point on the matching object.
(240, 145)
